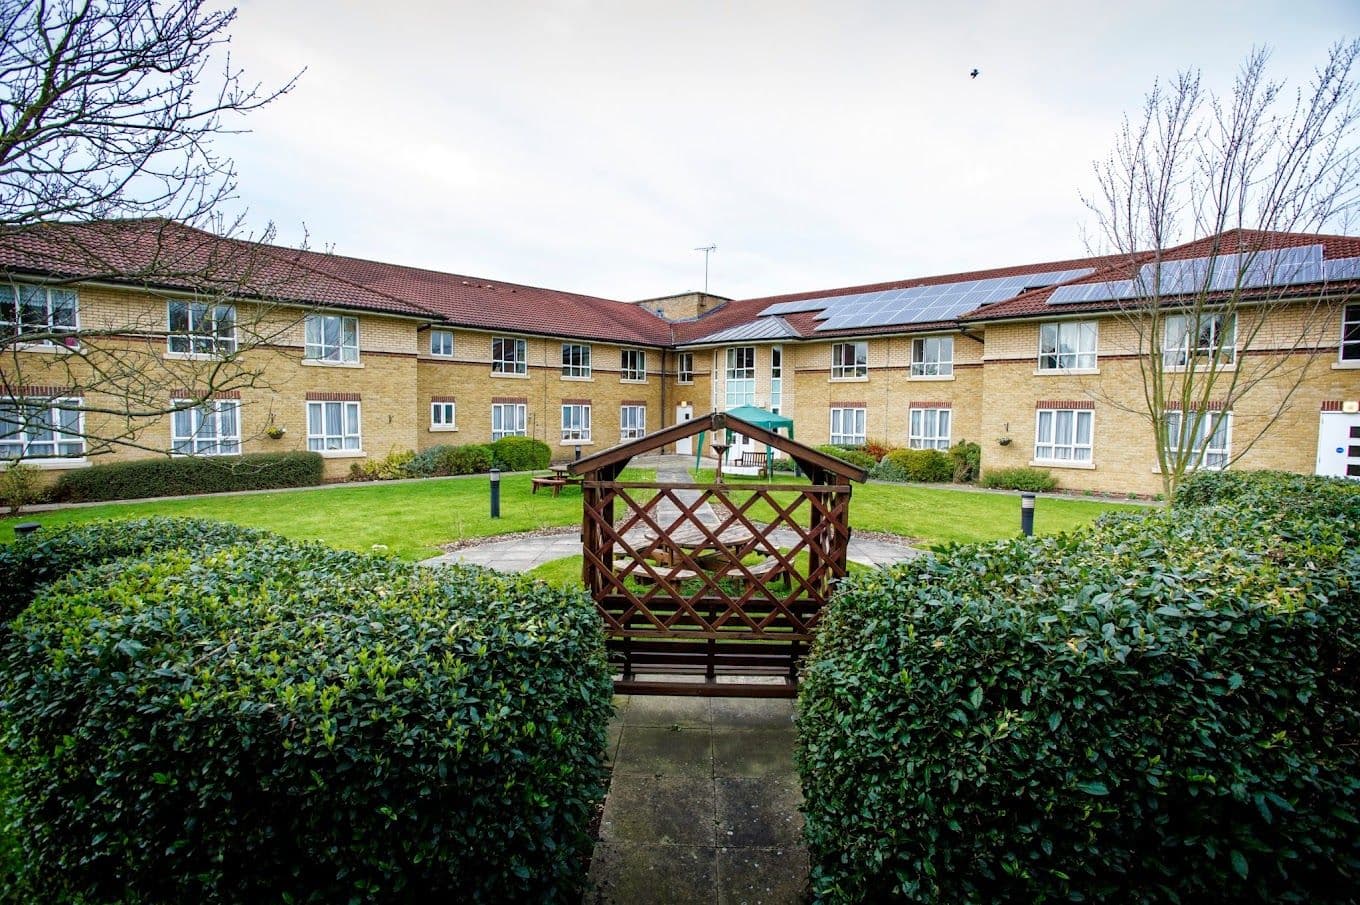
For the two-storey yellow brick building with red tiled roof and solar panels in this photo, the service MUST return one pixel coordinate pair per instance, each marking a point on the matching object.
(1040, 364)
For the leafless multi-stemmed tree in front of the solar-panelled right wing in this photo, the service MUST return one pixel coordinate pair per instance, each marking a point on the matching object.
(1240, 169)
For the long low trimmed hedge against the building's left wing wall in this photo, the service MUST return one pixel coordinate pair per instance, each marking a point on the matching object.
(190, 476)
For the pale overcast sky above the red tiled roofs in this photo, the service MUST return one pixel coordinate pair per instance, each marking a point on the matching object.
(591, 146)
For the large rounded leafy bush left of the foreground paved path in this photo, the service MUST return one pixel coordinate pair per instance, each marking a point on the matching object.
(293, 723)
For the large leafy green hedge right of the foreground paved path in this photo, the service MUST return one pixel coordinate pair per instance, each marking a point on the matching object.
(1159, 708)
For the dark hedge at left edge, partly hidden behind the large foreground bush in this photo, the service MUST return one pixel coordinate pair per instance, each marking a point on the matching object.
(47, 556)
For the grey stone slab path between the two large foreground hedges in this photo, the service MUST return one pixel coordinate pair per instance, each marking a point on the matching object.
(704, 805)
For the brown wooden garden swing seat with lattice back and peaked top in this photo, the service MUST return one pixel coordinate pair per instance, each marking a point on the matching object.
(713, 589)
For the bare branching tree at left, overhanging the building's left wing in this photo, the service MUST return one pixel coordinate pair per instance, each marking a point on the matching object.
(109, 176)
